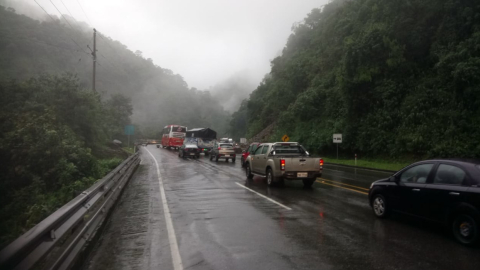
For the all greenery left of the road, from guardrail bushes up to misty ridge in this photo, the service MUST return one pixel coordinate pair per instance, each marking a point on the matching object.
(55, 130)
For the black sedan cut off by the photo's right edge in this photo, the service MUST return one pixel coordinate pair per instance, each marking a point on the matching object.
(445, 191)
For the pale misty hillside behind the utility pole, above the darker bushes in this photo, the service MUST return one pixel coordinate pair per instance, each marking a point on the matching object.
(159, 97)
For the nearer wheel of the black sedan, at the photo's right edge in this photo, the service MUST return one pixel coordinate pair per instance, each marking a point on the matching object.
(466, 229)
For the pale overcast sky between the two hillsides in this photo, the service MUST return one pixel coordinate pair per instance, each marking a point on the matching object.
(205, 41)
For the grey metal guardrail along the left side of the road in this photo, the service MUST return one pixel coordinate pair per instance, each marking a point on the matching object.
(59, 240)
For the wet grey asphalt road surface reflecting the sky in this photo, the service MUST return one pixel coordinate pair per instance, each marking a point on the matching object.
(214, 222)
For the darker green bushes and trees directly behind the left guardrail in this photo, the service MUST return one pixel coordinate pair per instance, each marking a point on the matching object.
(52, 146)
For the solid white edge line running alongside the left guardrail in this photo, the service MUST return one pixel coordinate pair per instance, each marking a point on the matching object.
(176, 259)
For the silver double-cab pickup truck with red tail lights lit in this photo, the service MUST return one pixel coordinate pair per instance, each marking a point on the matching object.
(283, 161)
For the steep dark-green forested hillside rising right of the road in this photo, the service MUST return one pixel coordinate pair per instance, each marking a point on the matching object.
(396, 78)
